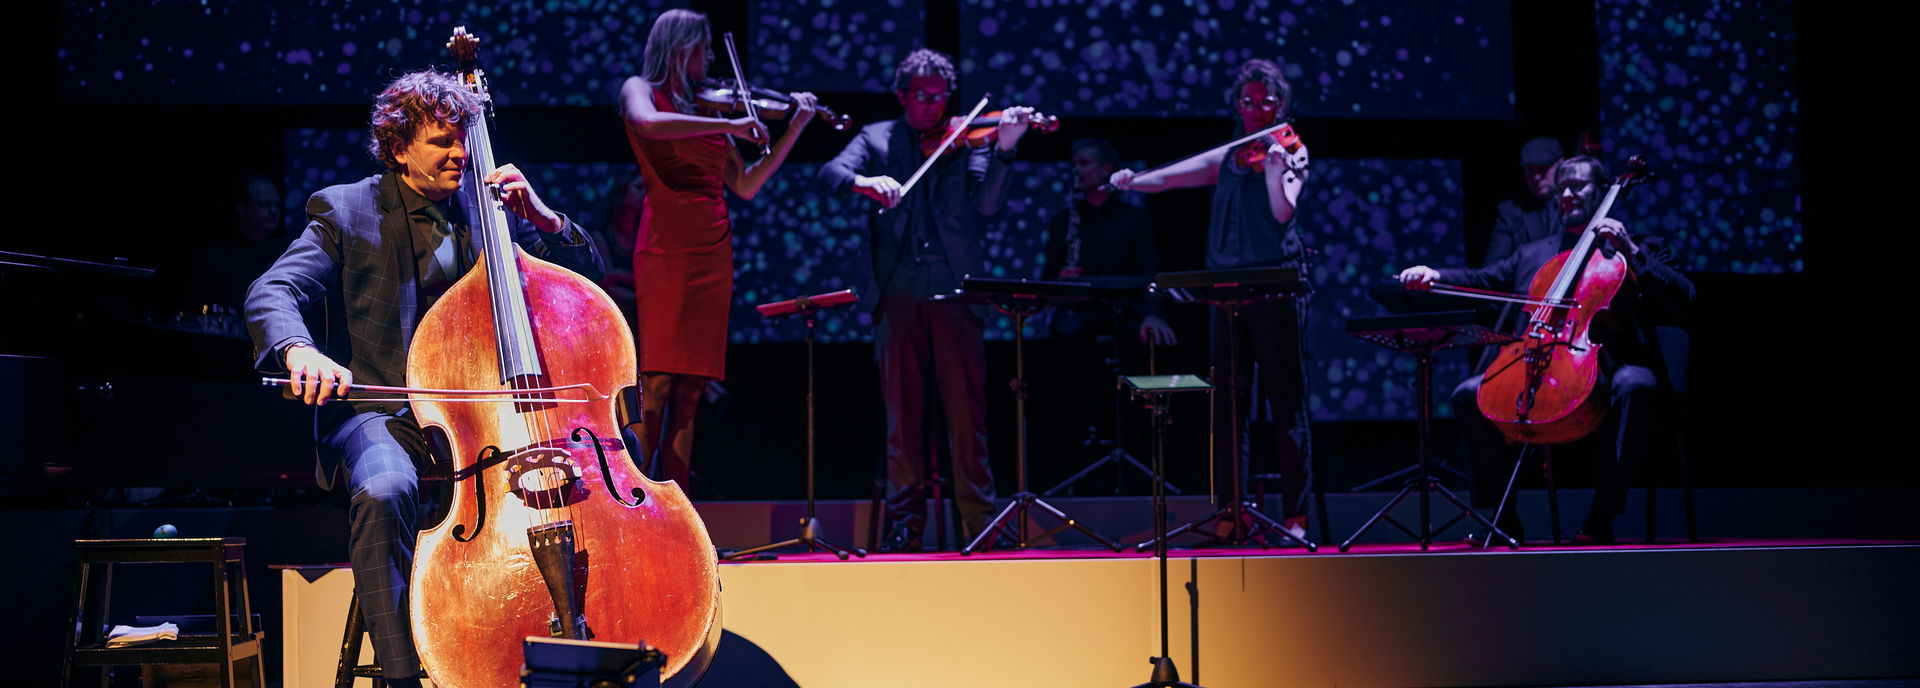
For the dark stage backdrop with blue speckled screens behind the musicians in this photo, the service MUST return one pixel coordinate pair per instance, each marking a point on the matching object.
(1414, 114)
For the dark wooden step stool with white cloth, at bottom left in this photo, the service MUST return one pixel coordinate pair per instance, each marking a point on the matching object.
(228, 647)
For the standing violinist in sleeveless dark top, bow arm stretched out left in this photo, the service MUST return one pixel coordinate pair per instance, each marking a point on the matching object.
(1253, 226)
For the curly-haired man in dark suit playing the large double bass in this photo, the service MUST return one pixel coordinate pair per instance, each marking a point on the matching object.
(373, 258)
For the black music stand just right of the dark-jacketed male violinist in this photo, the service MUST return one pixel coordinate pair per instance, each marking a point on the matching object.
(1022, 299)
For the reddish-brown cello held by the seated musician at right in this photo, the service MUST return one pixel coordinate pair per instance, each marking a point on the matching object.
(1541, 387)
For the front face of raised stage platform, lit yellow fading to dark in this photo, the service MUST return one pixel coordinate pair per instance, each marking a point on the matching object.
(1435, 620)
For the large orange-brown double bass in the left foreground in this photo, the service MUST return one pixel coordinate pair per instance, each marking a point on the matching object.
(552, 529)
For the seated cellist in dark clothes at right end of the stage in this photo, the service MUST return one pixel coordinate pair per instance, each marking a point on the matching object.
(1631, 364)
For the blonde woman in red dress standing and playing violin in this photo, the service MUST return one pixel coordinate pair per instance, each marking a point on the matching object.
(684, 253)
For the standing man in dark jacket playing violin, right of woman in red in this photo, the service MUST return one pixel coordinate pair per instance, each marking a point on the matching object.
(924, 245)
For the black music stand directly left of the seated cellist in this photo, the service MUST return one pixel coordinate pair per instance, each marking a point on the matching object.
(1424, 335)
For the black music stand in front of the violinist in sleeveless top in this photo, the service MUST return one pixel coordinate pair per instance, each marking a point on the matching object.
(1230, 291)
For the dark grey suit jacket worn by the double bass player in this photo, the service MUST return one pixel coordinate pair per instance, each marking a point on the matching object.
(352, 274)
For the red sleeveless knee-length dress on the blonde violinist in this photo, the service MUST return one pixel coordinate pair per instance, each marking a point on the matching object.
(684, 253)
